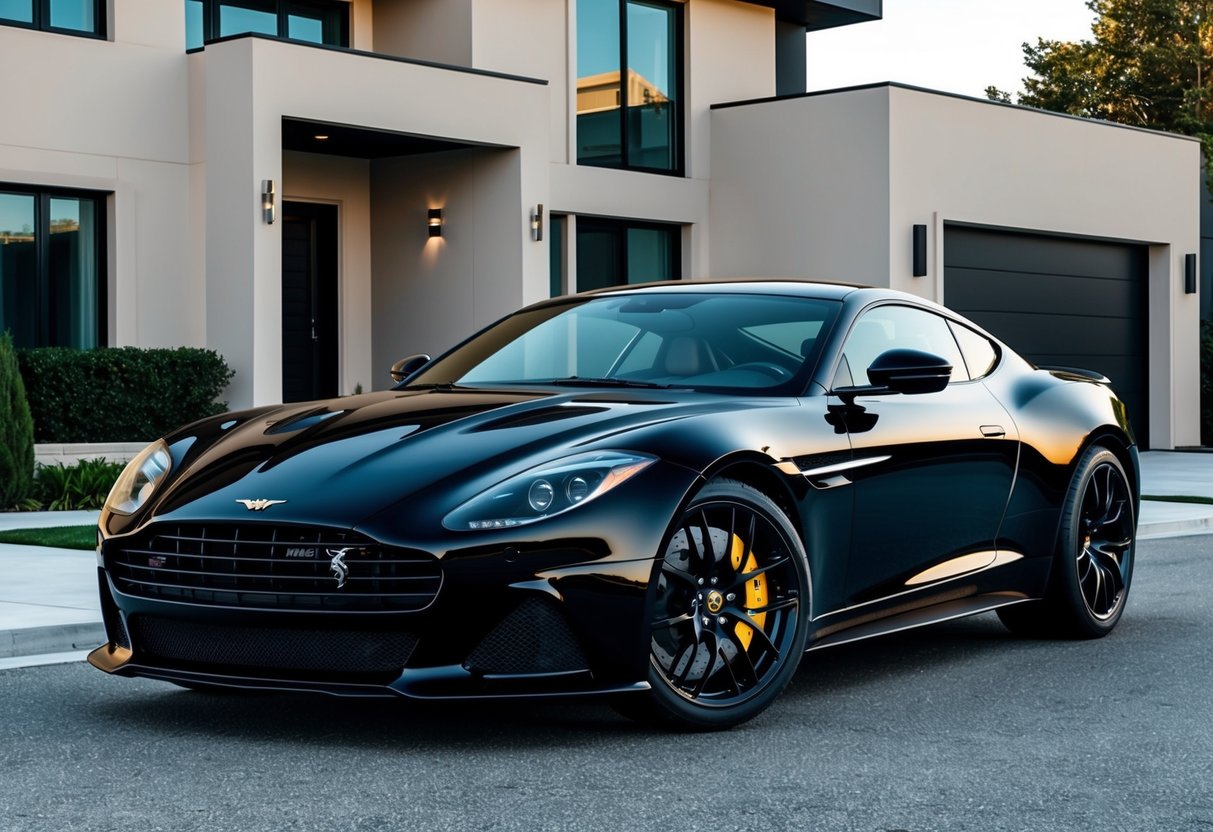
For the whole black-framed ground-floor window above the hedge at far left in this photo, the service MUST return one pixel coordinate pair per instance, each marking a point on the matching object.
(53, 267)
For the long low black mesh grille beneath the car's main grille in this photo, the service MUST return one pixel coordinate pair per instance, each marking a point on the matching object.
(210, 647)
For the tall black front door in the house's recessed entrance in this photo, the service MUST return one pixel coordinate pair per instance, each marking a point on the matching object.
(310, 301)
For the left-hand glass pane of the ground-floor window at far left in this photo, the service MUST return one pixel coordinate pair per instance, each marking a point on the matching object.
(19, 269)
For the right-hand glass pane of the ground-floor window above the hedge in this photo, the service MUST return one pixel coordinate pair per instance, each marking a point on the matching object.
(73, 272)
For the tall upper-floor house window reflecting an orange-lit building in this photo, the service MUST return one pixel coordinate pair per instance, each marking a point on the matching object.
(630, 86)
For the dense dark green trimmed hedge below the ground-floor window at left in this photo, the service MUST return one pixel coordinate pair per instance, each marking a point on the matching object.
(121, 394)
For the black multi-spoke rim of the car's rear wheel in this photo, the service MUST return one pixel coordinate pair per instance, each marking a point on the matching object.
(1106, 542)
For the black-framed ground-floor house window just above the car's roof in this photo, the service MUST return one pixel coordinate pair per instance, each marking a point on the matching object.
(613, 253)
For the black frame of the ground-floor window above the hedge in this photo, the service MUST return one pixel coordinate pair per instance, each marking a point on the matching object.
(43, 197)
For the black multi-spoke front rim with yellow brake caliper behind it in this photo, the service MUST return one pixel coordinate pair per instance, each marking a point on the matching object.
(725, 624)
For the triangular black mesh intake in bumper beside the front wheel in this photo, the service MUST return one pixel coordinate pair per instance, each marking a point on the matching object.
(534, 639)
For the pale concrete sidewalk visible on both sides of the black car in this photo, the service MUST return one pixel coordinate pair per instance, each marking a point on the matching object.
(49, 597)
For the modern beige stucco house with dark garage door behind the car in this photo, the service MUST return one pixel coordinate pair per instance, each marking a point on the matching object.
(316, 189)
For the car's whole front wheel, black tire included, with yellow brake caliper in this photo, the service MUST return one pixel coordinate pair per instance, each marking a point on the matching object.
(730, 618)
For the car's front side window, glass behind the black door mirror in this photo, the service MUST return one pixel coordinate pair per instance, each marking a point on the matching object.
(901, 328)
